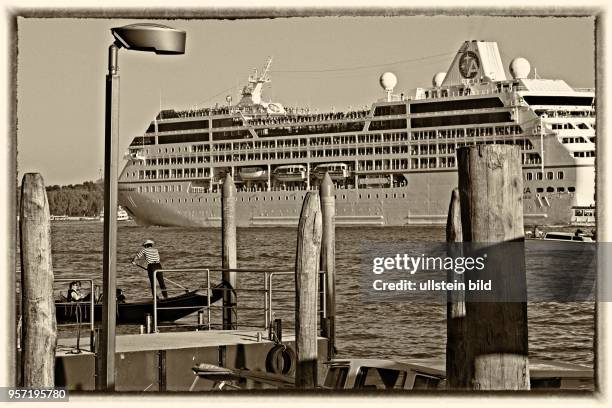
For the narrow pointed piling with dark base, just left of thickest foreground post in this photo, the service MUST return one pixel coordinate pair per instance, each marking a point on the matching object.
(456, 362)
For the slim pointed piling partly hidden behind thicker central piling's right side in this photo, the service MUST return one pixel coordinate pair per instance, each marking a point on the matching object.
(328, 261)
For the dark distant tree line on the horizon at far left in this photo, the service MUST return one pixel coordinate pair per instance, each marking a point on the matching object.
(75, 200)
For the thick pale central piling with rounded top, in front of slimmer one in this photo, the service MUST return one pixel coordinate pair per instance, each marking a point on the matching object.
(306, 271)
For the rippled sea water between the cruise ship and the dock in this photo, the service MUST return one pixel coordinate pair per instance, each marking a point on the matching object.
(365, 328)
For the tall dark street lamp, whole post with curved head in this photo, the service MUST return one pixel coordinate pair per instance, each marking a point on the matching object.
(155, 38)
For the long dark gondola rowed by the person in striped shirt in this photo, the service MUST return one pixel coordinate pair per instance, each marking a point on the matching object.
(168, 310)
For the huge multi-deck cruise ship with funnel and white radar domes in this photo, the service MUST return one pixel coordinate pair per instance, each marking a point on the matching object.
(393, 164)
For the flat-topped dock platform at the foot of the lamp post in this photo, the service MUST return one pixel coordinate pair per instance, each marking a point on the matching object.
(163, 361)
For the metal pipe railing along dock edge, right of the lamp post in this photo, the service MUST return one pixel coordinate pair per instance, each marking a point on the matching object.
(264, 295)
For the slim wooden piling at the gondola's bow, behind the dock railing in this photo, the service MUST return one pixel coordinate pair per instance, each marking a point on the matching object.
(228, 251)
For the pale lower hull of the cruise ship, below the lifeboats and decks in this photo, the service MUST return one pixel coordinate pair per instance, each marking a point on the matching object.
(423, 202)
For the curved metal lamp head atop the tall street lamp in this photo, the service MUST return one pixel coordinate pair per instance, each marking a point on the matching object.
(156, 38)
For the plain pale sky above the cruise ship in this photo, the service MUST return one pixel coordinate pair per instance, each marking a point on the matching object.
(319, 62)
